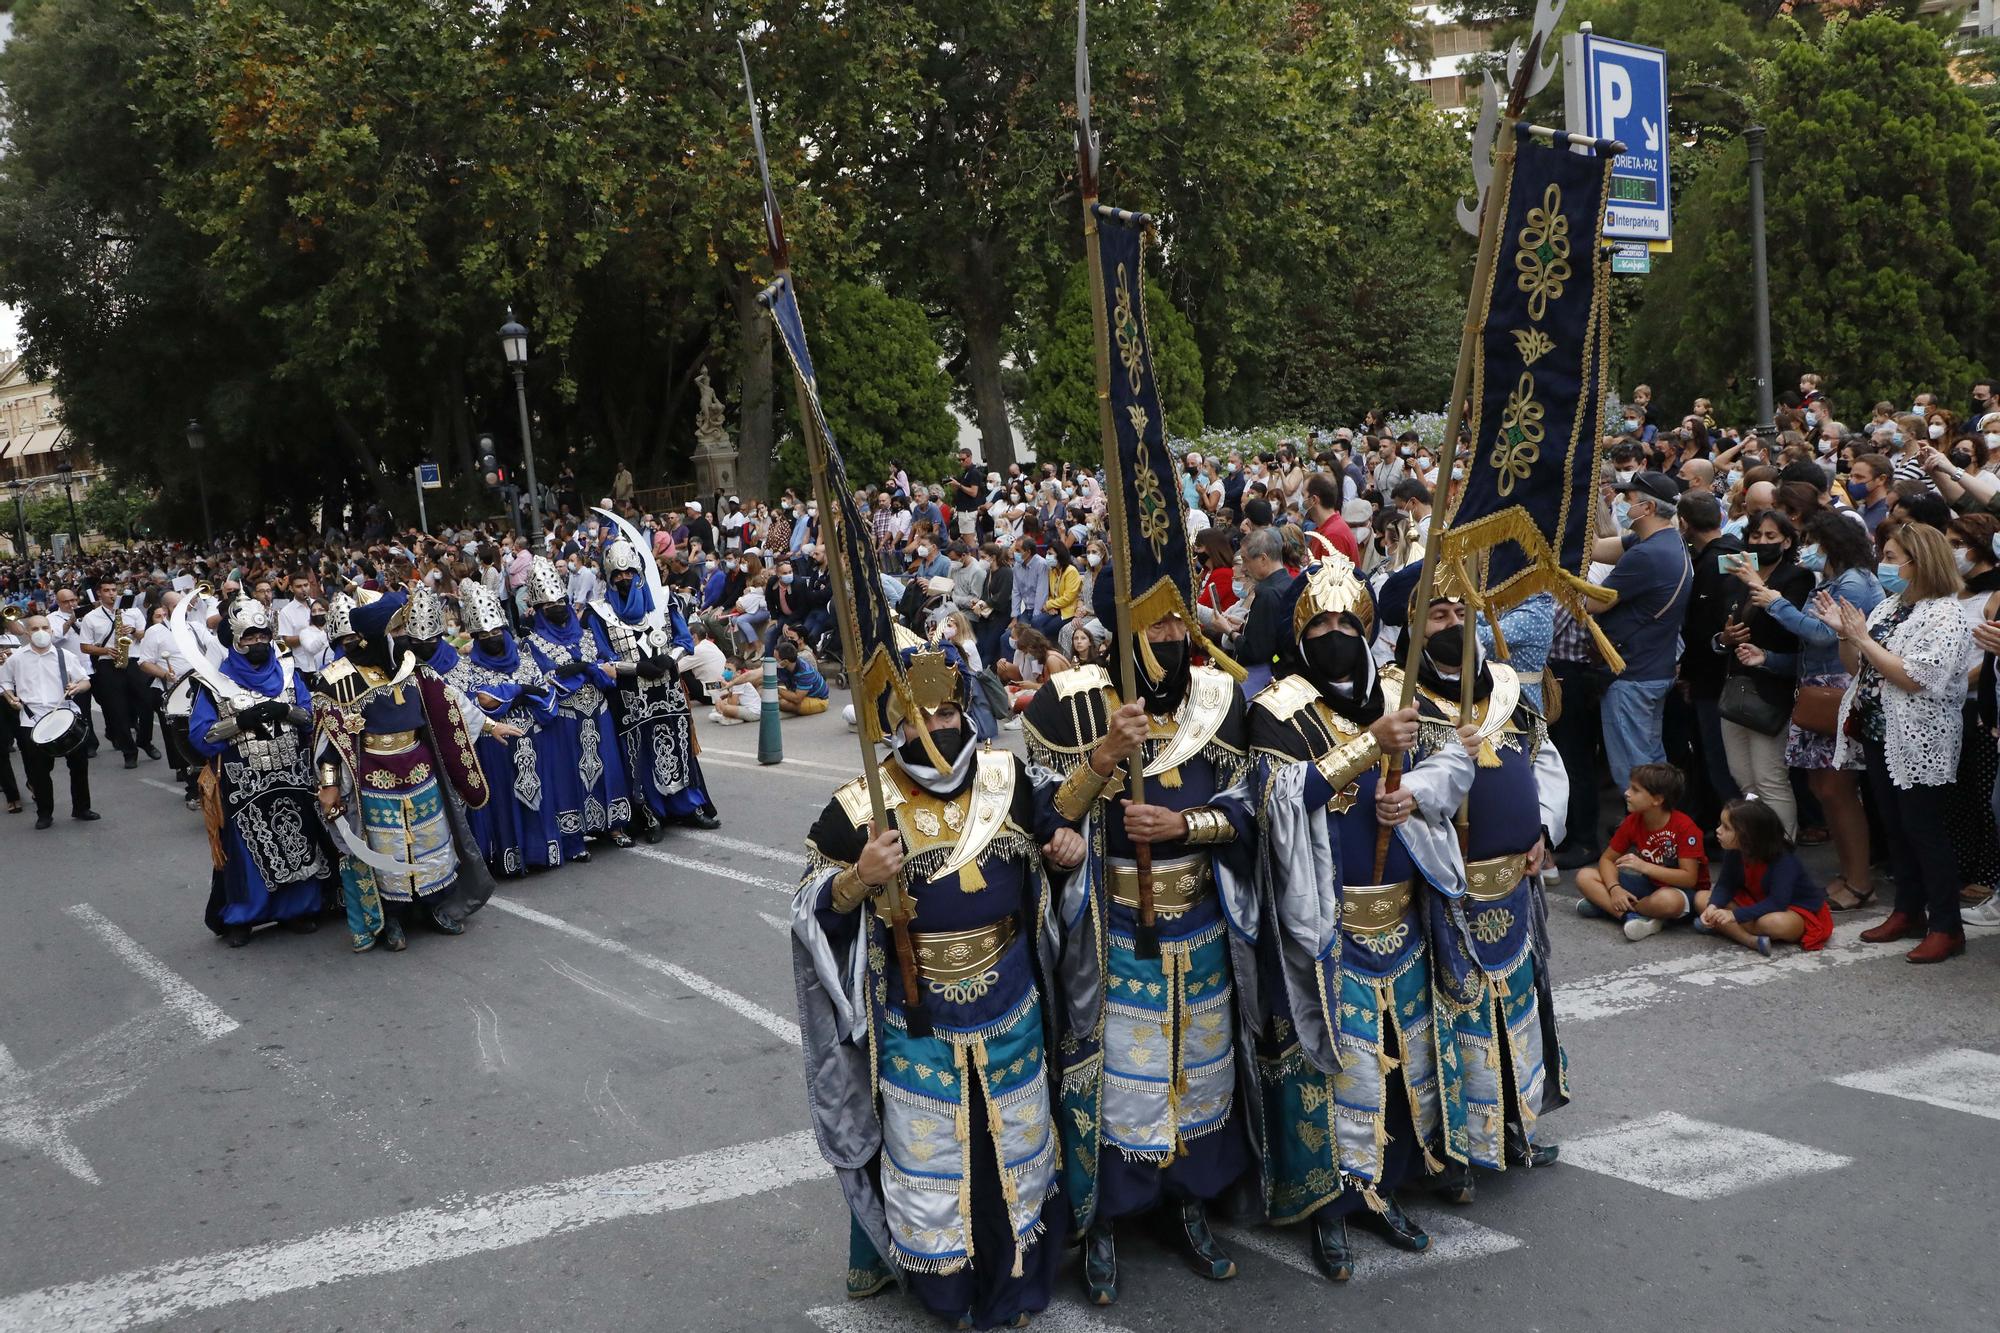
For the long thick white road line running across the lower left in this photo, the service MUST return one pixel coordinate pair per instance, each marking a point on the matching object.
(415, 1240)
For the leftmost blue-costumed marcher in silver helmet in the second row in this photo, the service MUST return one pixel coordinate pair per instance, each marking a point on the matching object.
(267, 842)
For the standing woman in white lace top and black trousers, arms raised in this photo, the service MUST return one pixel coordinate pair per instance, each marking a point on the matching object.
(1909, 661)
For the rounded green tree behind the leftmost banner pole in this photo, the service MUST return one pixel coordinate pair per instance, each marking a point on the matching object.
(883, 385)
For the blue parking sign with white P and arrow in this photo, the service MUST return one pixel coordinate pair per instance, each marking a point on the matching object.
(1619, 91)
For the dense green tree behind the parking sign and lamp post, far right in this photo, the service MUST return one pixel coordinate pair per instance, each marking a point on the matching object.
(1883, 223)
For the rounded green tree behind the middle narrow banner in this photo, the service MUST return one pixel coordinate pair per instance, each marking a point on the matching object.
(1063, 383)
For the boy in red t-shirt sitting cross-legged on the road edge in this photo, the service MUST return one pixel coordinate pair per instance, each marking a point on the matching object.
(1655, 864)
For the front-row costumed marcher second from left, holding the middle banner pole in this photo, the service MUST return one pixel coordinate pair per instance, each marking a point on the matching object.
(1151, 1052)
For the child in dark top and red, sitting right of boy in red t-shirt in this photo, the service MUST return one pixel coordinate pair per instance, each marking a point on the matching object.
(1763, 890)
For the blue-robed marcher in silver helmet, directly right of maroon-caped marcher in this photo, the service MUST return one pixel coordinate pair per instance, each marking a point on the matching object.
(517, 830)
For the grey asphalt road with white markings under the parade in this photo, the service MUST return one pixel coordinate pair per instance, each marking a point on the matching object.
(589, 1114)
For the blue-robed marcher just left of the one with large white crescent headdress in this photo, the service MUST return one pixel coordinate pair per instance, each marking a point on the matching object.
(585, 776)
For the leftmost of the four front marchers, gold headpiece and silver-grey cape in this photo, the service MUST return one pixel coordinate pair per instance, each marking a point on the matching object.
(943, 1142)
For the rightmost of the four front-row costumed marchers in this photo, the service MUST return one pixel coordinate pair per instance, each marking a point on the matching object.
(1493, 980)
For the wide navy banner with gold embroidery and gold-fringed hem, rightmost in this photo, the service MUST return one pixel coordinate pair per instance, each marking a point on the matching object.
(1529, 505)
